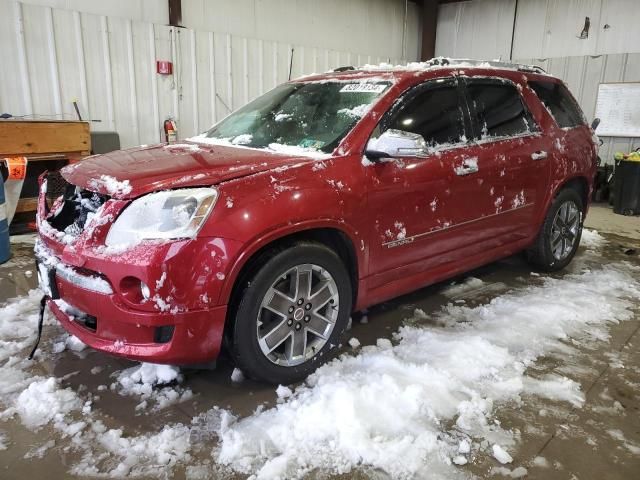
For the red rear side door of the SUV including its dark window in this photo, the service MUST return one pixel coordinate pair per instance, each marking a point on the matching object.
(513, 157)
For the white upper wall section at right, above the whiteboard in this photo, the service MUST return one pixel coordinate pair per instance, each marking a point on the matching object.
(544, 28)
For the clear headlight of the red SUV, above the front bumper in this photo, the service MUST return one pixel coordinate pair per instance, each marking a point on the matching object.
(164, 215)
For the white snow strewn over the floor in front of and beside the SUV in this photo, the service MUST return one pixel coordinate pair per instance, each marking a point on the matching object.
(423, 404)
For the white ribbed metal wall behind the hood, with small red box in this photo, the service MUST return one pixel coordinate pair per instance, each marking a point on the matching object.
(52, 56)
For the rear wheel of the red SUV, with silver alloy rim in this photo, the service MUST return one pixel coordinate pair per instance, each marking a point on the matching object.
(559, 237)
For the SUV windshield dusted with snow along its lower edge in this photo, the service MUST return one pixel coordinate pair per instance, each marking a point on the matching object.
(315, 115)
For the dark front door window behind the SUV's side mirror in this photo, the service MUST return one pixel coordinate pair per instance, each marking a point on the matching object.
(434, 113)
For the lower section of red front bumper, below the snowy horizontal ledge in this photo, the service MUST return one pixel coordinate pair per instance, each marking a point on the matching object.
(100, 320)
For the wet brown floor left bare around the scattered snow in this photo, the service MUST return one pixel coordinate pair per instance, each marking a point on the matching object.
(596, 441)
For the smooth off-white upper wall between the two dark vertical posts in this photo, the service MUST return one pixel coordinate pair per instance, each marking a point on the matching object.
(366, 26)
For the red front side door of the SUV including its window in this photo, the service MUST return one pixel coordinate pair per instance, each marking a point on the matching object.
(421, 205)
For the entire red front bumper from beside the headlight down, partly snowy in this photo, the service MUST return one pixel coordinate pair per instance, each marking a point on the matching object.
(98, 295)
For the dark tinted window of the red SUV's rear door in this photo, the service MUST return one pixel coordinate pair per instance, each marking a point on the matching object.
(498, 109)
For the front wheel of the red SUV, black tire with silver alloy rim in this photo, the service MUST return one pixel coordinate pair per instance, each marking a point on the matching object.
(292, 314)
